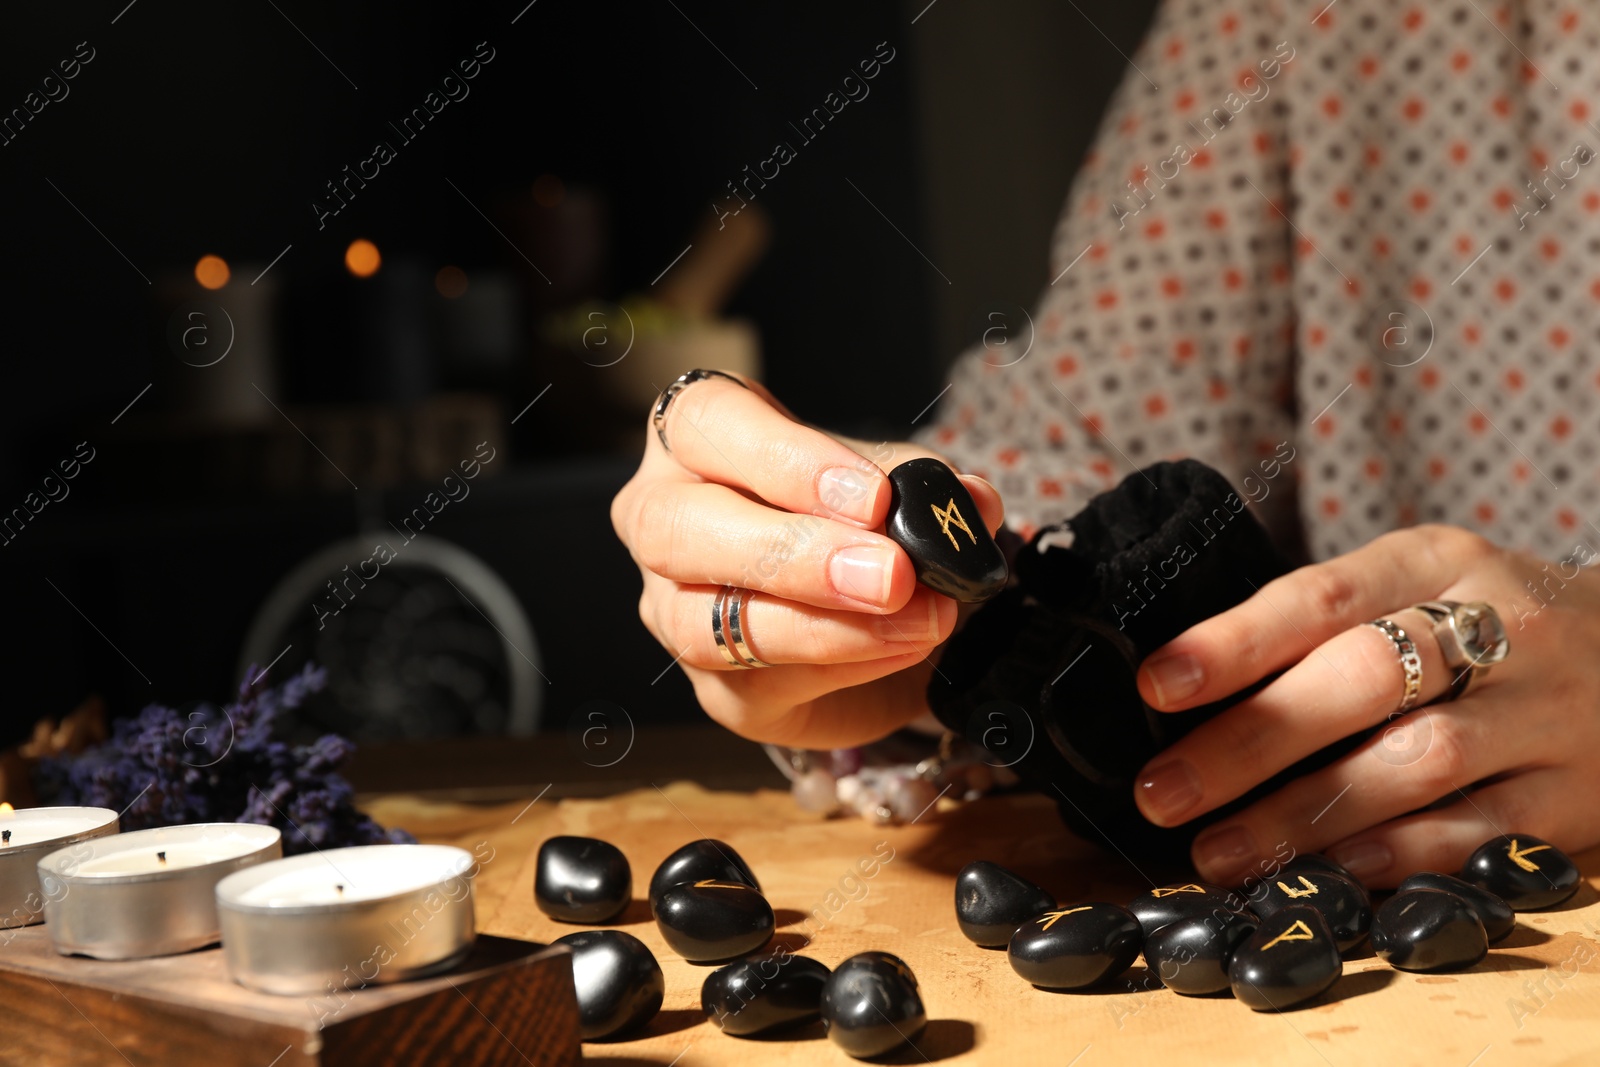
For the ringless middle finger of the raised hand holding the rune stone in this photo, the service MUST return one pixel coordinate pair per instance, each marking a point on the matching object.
(710, 535)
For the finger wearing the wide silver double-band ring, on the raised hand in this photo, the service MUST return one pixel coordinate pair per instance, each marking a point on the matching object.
(785, 633)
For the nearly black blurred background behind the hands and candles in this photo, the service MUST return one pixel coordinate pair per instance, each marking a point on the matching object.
(207, 129)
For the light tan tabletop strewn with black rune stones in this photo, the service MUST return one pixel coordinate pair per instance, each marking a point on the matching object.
(1534, 1001)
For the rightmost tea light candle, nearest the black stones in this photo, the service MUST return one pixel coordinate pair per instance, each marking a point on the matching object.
(342, 919)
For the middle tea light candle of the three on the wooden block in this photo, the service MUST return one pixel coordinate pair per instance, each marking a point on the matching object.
(148, 893)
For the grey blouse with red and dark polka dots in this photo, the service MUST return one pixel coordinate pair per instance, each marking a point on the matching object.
(1346, 254)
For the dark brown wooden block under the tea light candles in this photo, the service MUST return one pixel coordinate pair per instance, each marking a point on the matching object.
(510, 1002)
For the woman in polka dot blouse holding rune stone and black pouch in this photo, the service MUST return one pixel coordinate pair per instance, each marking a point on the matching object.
(1369, 234)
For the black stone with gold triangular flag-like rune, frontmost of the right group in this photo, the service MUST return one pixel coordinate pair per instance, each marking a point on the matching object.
(1290, 959)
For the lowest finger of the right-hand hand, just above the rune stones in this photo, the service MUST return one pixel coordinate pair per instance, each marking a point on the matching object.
(1538, 802)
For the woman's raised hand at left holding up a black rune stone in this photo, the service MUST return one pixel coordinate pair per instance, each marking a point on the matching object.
(751, 498)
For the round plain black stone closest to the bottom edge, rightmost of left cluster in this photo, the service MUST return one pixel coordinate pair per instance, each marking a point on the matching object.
(871, 1005)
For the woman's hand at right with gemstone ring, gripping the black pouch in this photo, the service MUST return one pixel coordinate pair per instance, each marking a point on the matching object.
(1519, 753)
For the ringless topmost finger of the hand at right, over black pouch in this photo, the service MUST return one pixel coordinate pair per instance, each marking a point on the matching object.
(1295, 613)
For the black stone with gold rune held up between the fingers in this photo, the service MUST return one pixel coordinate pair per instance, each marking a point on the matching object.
(934, 518)
